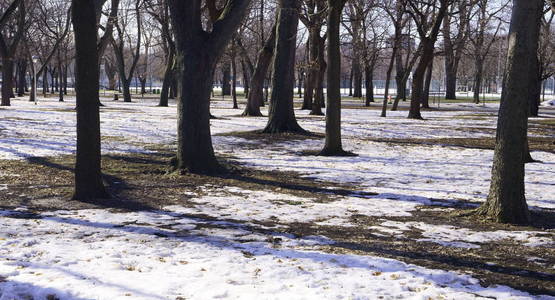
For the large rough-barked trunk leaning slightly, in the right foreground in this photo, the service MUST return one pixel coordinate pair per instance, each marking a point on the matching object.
(506, 201)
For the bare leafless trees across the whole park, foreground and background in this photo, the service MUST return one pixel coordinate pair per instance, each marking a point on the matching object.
(198, 35)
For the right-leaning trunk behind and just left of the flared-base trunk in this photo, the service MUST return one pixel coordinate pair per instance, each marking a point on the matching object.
(256, 94)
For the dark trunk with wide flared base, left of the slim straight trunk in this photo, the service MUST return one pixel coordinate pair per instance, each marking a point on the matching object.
(281, 116)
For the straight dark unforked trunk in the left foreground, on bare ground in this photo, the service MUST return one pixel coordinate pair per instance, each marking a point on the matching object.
(88, 178)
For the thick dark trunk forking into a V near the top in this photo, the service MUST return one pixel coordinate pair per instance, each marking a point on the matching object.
(197, 54)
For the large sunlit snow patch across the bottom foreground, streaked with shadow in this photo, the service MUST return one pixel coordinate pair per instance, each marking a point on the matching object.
(95, 254)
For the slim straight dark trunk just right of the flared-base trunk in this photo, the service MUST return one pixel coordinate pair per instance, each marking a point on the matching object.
(333, 145)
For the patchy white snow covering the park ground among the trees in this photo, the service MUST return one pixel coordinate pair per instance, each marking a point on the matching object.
(98, 254)
